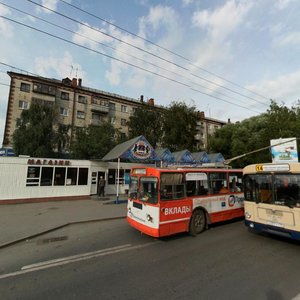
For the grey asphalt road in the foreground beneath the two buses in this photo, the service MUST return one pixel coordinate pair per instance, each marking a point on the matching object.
(110, 260)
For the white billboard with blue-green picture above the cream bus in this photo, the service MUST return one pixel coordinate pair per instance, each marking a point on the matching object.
(284, 150)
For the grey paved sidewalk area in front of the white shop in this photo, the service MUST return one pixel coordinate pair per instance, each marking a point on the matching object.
(21, 221)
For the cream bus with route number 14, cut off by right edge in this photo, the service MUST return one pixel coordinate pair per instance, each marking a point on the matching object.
(272, 198)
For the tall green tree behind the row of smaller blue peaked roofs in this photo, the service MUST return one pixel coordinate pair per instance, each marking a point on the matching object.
(179, 127)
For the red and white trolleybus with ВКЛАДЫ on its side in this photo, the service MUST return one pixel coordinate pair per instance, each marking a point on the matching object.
(163, 202)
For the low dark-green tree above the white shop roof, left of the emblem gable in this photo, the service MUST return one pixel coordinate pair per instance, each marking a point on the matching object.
(93, 142)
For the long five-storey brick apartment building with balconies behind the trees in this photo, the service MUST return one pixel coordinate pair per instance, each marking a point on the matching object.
(80, 106)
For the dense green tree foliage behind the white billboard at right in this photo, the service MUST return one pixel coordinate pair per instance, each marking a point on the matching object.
(255, 133)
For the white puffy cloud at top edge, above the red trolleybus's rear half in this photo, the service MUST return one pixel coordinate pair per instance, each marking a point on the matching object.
(224, 20)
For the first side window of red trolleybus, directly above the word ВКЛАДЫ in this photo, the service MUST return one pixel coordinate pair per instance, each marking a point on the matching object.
(172, 186)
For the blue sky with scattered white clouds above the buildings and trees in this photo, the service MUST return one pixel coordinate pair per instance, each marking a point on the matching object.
(227, 58)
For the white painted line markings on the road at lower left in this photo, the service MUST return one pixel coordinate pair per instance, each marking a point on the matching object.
(71, 259)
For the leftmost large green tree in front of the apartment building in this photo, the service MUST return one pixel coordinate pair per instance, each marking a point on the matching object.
(35, 135)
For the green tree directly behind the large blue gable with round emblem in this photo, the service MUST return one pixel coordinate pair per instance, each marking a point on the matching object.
(146, 121)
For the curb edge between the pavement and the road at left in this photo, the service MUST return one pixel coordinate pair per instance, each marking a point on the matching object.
(4, 245)
